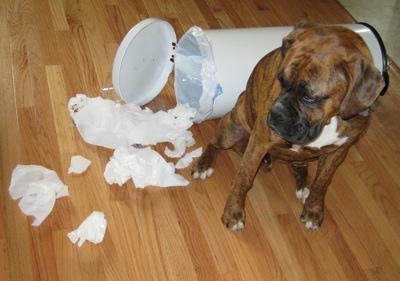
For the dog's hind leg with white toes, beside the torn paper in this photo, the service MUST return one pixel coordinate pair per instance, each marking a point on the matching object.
(229, 134)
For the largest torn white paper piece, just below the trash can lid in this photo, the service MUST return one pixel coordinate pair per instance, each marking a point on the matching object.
(106, 123)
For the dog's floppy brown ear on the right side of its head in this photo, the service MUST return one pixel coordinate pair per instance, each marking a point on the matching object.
(366, 83)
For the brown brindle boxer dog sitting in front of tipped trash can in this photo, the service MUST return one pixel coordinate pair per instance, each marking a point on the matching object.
(308, 100)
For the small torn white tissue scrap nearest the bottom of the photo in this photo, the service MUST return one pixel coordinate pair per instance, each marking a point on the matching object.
(93, 229)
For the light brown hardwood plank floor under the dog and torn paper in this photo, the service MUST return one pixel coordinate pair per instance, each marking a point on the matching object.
(52, 49)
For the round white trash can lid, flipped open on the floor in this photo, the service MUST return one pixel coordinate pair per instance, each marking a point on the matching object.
(144, 61)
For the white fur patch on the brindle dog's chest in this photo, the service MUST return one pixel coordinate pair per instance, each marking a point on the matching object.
(328, 136)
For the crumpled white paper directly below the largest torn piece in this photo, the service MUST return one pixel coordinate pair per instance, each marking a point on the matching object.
(144, 165)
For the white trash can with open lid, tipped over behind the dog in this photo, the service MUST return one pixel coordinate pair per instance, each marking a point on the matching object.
(211, 66)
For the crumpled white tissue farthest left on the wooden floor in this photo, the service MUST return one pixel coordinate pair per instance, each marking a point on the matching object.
(39, 188)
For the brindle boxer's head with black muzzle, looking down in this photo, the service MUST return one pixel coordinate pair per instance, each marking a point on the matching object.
(326, 71)
